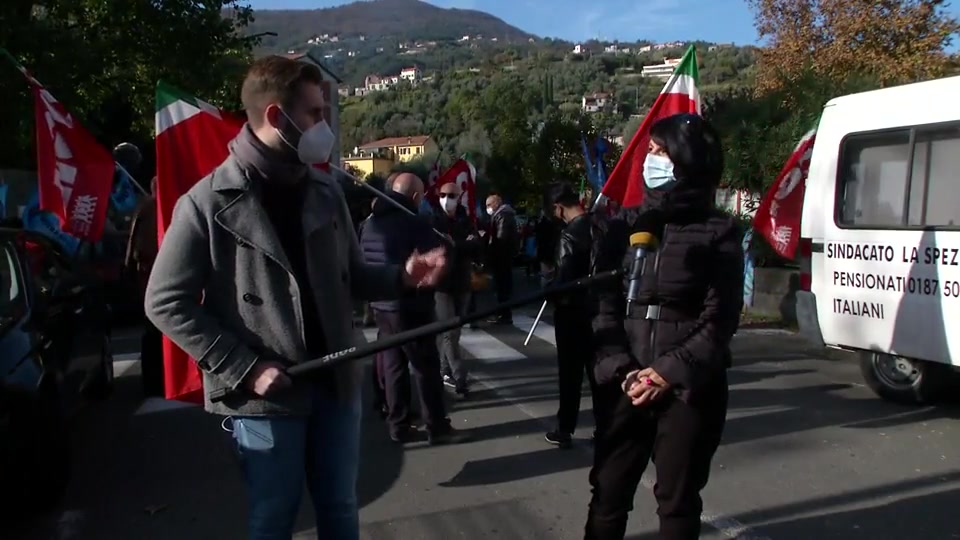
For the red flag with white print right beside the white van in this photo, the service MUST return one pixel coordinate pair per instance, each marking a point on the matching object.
(778, 216)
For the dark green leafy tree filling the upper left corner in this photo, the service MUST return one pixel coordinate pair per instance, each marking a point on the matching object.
(102, 60)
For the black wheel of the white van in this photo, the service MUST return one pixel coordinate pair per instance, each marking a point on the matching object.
(904, 380)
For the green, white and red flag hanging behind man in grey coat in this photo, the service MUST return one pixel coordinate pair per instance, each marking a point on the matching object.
(192, 139)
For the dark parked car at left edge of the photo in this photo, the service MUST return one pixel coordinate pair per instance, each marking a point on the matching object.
(55, 355)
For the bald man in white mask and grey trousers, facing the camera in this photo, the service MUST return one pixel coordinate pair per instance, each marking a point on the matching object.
(453, 291)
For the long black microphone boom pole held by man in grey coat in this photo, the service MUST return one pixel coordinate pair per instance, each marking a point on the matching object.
(436, 328)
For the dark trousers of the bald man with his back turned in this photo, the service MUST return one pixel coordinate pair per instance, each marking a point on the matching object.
(395, 369)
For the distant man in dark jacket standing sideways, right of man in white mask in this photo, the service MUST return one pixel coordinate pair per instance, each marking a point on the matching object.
(504, 244)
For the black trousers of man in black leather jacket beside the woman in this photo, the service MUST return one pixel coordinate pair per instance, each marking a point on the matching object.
(574, 357)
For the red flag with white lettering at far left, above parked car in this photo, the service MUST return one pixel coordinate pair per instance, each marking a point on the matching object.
(74, 172)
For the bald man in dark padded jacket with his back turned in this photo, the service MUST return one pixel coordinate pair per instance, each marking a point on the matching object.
(393, 235)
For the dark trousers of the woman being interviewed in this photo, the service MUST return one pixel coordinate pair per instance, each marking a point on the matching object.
(680, 437)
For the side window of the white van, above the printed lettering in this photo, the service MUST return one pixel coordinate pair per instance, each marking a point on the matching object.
(875, 182)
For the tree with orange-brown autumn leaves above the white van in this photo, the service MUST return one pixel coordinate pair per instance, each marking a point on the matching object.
(894, 41)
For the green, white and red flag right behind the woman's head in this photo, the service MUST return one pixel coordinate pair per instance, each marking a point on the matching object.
(679, 95)
